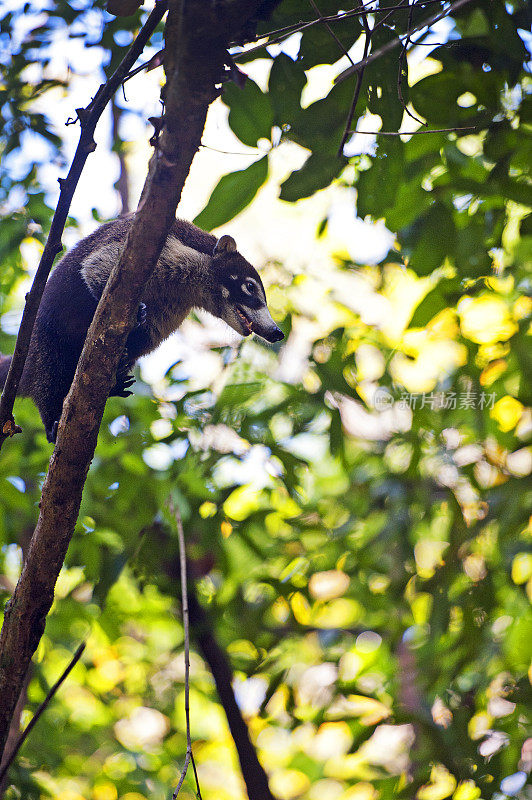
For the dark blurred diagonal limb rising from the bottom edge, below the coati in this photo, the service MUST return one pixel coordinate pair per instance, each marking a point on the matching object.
(253, 773)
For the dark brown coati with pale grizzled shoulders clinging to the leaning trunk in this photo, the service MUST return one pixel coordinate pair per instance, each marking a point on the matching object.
(194, 270)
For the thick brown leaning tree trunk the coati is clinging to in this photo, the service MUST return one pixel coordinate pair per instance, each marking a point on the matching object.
(196, 42)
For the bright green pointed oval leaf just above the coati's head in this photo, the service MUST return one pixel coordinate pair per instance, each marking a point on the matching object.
(232, 194)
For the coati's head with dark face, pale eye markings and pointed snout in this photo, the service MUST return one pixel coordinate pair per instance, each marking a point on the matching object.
(243, 302)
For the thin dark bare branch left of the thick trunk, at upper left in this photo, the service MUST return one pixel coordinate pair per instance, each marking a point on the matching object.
(88, 118)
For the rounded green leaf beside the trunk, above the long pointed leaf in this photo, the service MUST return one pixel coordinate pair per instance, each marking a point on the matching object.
(250, 112)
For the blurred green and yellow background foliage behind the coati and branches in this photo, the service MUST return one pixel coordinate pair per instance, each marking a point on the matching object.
(360, 534)
